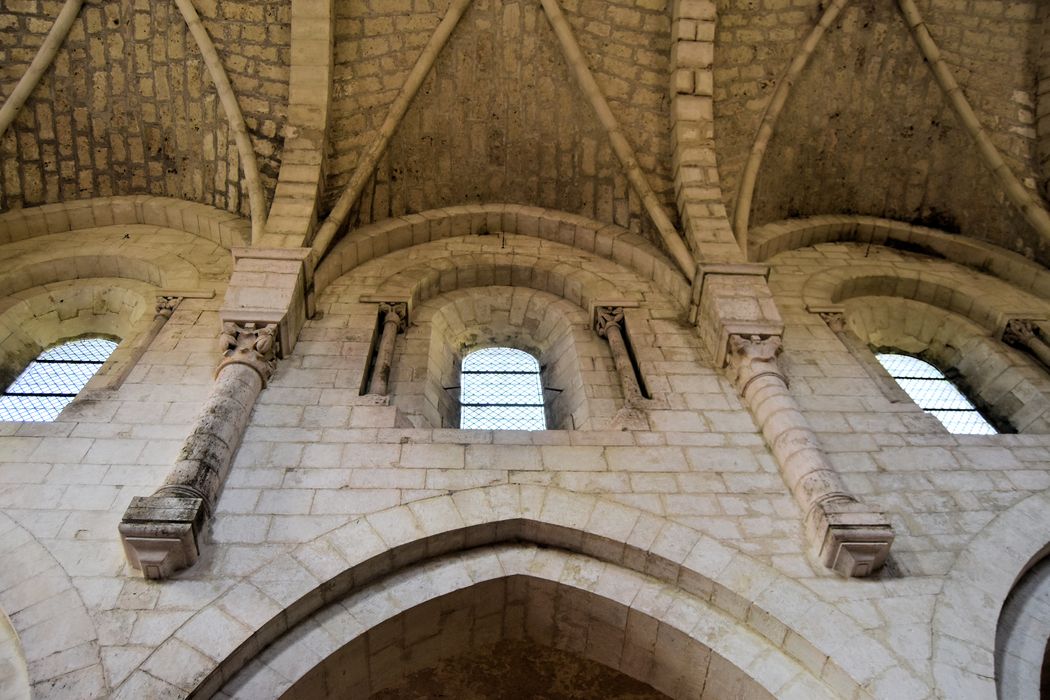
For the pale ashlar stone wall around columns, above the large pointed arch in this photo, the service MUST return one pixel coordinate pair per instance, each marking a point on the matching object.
(326, 477)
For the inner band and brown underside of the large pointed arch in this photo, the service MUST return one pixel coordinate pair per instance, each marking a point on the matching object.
(646, 629)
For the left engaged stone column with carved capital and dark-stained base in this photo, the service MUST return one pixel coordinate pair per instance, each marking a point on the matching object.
(162, 534)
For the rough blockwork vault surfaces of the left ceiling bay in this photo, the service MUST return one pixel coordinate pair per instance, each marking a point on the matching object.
(129, 107)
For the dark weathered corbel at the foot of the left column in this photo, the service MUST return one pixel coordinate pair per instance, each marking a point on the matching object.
(161, 535)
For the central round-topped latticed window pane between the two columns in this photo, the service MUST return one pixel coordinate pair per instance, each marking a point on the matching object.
(500, 390)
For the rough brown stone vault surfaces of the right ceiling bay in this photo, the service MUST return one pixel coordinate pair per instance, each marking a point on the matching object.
(867, 130)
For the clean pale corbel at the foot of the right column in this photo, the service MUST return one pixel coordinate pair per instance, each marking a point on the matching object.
(853, 540)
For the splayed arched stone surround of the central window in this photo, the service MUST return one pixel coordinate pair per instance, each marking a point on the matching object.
(553, 330)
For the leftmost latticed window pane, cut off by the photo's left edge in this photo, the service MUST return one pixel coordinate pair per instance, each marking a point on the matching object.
(54, 379)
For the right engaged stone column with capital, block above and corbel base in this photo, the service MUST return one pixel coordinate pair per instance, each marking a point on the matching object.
(743, 330)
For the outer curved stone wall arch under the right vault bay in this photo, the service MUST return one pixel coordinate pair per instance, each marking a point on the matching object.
(768, 241)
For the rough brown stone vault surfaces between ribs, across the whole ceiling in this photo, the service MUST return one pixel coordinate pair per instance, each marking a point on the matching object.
(129, 108)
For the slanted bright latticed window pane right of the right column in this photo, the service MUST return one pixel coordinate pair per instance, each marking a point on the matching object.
(935, 394)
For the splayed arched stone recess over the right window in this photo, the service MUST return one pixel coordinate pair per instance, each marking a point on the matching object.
(1000, 380)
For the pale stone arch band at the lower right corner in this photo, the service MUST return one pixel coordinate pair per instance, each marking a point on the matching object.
(968, 613)
